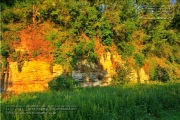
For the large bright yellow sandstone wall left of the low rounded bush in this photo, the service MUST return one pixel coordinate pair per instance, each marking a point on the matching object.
(34, 76)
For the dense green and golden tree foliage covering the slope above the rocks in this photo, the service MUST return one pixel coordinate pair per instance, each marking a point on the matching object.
(137, 32)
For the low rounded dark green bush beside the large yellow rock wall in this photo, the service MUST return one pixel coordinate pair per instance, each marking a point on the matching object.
(62, 83)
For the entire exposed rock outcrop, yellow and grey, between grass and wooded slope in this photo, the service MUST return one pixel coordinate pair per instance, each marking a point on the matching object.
(35, 75)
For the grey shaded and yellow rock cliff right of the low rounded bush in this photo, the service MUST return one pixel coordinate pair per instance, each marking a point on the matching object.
(92, 74)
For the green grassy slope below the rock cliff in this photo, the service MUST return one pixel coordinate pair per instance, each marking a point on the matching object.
(153, 101)
